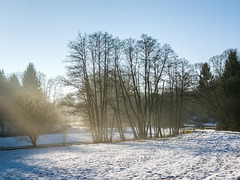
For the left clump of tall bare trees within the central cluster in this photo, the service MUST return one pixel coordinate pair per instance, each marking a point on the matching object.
(93, 74)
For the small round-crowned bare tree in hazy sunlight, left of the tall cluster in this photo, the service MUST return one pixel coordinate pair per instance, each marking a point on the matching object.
(34, 116)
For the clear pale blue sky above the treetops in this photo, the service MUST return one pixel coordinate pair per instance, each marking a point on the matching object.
(38, 31)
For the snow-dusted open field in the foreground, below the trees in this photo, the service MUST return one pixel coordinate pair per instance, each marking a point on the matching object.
(199, 155)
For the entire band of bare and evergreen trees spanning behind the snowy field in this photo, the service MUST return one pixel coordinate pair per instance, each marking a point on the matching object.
(116, 84)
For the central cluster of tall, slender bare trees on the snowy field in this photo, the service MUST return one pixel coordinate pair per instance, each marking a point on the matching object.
(125, 82)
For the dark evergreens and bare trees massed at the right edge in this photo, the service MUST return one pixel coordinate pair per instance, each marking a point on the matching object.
(218, 89)
